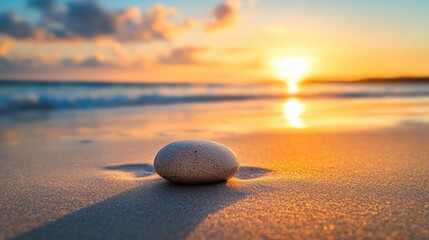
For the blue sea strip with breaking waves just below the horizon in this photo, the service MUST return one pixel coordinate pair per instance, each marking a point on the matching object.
(32, 95)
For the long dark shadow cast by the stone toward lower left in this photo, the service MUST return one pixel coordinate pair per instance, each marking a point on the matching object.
(157, 210)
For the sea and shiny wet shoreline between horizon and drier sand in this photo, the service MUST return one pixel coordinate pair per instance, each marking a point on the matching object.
(54, 113)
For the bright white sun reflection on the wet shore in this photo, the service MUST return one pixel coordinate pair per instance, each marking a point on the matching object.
(292, 112)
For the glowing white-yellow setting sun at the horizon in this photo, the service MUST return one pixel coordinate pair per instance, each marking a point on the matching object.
(292, 70)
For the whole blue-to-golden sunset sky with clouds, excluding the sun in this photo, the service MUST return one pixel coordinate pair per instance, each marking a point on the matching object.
(212, 40)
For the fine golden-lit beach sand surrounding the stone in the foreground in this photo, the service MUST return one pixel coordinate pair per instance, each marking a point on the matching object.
(309, 184)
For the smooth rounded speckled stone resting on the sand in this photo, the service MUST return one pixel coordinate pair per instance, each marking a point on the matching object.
(196, 162)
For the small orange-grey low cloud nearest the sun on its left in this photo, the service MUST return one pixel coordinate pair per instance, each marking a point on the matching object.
(183, 56)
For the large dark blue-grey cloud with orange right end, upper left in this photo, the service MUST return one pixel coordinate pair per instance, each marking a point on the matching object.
(90, 20)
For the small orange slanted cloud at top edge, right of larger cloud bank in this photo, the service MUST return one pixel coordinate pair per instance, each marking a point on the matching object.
(225, 15)
